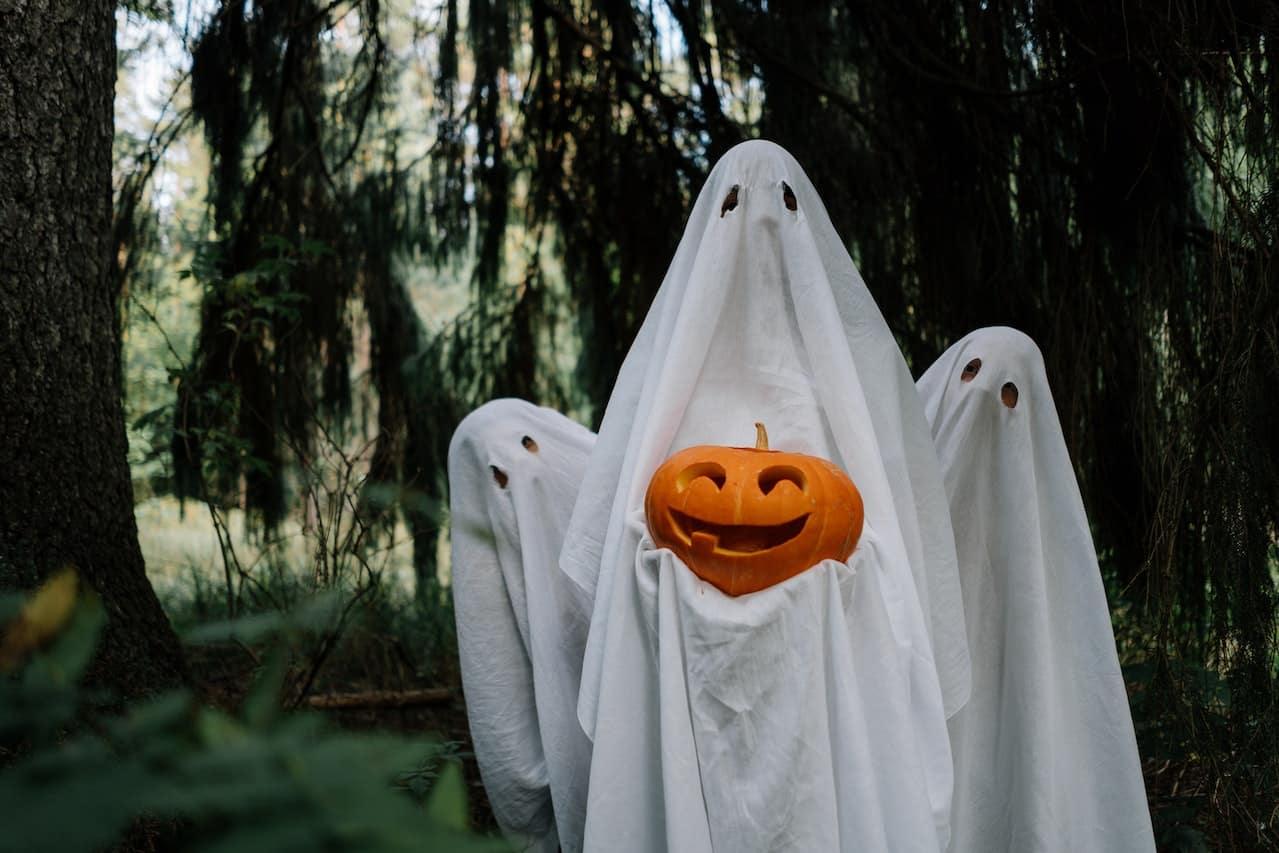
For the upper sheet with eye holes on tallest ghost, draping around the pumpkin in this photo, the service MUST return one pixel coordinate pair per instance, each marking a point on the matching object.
(764, 318)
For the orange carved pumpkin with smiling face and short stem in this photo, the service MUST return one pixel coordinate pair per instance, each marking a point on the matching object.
(748, 519)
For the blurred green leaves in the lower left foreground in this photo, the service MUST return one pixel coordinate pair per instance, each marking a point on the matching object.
(263, 779)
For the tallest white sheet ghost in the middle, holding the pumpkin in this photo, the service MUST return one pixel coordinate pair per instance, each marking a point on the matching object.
(810, 716)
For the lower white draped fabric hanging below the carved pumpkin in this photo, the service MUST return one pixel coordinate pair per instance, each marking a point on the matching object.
(786, 721)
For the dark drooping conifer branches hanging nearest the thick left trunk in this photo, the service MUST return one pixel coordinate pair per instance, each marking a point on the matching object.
(277, 338)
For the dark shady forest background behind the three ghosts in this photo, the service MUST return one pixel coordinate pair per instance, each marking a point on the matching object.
(351, 222)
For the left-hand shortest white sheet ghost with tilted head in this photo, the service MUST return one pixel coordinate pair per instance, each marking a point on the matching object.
(514, 476)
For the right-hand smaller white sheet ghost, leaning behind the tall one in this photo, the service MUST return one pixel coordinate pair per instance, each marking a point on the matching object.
(1046, 756)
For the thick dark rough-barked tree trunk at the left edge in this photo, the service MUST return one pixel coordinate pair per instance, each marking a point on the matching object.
(66, 496)
